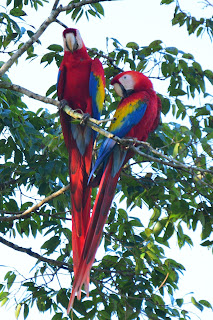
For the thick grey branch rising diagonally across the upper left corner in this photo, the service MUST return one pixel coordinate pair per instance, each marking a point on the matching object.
(53, 15)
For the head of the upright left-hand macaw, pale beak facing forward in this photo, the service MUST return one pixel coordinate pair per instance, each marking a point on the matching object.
(72, 40)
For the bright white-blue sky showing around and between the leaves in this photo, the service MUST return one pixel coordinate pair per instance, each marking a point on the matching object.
(126, 20)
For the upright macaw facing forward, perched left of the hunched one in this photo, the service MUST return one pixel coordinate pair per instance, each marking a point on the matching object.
(81, 84)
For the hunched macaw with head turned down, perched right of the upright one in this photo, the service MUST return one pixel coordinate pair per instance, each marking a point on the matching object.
(136, 116)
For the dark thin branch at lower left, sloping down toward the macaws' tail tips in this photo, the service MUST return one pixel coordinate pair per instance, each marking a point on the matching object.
(28, 251)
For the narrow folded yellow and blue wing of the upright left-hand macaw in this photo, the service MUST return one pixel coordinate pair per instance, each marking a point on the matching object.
(97, 88)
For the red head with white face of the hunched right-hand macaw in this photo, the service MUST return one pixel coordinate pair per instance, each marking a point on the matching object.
(128, 82)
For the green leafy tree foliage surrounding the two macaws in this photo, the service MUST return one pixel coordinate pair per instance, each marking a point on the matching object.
(134, 276)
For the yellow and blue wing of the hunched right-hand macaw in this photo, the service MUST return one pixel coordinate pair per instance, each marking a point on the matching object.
(129, 113)
